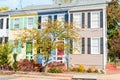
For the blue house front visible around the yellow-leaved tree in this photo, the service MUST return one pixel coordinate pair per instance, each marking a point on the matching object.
(59, 15)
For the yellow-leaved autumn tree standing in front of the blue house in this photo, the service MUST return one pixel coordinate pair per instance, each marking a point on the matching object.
(45, 40)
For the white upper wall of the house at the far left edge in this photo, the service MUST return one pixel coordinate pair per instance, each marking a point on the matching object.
(4, 32)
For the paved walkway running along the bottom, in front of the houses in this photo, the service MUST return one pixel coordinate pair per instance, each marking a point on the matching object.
(64, 76)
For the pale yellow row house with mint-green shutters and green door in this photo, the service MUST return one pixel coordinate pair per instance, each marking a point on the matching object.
(20, 20)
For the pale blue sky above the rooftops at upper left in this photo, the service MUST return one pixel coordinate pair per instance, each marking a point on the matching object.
(12, 4)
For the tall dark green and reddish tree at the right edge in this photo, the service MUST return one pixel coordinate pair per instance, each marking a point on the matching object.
(113, 18)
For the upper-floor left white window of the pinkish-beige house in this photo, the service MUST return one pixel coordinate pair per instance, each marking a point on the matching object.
(78, 25)
